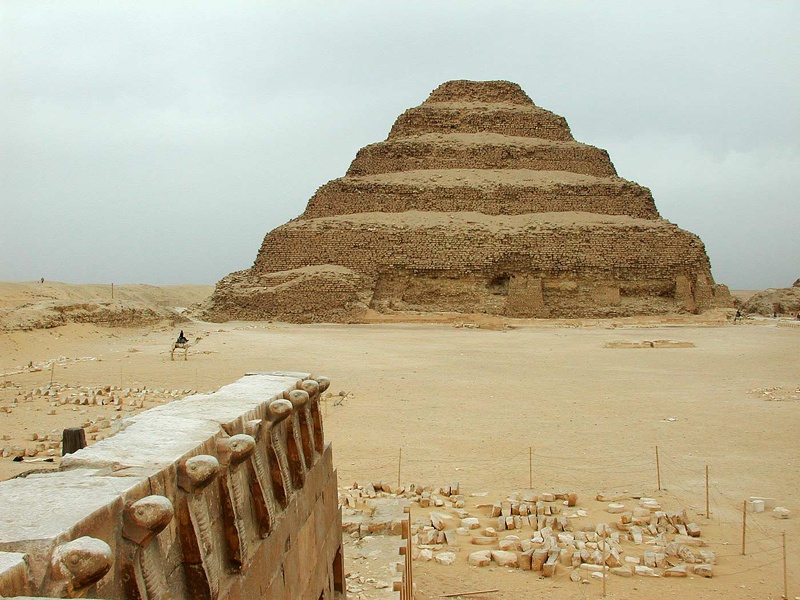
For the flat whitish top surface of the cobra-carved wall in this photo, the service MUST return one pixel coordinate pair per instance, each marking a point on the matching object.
(41, 507)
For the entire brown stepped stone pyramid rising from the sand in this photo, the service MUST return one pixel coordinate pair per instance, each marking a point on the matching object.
(478, 201)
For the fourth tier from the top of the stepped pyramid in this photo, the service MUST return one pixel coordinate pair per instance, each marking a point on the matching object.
(490, 192)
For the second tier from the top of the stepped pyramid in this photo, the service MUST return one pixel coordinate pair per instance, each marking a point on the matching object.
(503, 119)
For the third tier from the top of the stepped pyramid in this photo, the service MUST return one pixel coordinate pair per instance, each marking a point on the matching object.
(480, 151)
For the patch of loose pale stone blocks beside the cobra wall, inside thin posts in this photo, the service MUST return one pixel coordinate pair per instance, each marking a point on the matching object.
(546, 533)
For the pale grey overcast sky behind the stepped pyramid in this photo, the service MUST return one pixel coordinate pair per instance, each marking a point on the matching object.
(158, 142)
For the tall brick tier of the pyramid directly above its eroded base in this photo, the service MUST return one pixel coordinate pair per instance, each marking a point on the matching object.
(581, 244)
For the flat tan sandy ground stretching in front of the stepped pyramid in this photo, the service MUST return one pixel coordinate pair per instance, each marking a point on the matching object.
(472, 405)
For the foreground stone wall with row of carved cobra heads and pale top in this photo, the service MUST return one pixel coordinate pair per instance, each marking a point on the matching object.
(230, 495)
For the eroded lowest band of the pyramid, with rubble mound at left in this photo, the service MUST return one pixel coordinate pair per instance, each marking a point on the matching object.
(520, 295)
